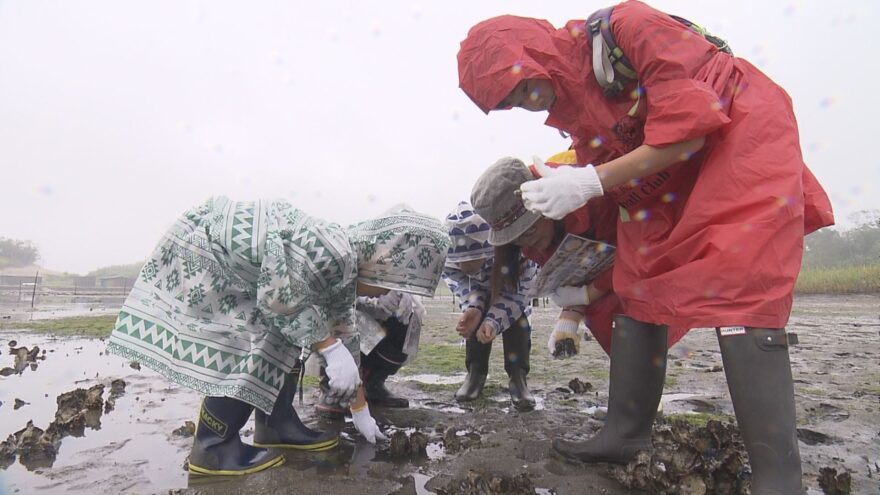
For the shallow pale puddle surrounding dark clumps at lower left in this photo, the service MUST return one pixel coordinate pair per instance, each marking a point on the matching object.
(148, 411)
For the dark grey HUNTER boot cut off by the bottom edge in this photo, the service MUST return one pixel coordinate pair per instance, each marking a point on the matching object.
(758, 374)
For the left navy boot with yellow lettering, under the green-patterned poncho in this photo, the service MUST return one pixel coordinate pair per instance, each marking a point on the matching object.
(217, 446)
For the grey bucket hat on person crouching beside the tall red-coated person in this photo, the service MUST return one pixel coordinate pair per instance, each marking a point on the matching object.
(495, 198)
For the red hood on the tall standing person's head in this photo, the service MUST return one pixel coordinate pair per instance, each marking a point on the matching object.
(500, 52)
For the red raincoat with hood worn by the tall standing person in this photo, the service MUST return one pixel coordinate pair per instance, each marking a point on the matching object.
(713, 241)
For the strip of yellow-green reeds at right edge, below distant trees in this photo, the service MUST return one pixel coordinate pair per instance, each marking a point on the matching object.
(864, 279)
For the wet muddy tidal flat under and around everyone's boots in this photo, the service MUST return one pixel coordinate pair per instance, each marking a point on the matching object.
(75, 420)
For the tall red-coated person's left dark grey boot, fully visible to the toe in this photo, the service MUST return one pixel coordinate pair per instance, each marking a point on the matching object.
(638, 368)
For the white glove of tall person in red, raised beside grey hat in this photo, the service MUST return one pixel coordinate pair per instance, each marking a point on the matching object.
(560, 190)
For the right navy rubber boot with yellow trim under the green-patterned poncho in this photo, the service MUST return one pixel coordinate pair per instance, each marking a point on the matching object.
(283, 428)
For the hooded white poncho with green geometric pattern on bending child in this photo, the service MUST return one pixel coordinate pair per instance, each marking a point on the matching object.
(235, 291)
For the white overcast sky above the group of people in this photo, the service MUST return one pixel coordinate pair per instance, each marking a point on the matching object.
(116, 116)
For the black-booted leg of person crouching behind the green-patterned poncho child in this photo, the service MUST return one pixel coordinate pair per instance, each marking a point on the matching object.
(383, 361)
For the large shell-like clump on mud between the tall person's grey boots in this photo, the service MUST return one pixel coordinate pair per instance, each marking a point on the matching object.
(690, 460)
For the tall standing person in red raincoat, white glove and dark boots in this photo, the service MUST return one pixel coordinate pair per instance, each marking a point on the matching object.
(702, 156)
